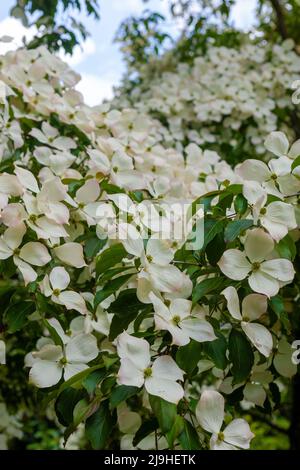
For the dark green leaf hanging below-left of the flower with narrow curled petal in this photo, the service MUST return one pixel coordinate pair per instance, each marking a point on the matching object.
(240, 355)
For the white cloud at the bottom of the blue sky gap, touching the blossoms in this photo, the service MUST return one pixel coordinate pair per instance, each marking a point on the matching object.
(95, 89)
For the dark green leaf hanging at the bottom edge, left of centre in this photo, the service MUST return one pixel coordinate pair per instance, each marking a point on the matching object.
(99, 426)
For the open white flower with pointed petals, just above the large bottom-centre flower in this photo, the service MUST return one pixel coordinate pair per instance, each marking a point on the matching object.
(178, 319)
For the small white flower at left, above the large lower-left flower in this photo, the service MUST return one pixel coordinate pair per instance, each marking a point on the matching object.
(55, 284)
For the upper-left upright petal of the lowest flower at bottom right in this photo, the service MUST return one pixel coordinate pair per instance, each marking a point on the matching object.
(210, 411)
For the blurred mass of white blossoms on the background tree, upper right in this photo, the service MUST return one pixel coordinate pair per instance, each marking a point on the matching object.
(228, 99)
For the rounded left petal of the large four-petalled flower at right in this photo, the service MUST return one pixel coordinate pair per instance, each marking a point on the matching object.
(234, 264)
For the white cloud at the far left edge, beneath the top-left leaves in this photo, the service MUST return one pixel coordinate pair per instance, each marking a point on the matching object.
(14, 28)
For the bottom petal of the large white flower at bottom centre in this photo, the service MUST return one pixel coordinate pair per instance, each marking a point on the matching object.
(166, 389)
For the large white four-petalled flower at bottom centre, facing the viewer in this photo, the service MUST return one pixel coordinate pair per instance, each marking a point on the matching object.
(159, 378)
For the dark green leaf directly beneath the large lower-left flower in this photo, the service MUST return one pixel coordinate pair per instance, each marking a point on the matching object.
(65, 404)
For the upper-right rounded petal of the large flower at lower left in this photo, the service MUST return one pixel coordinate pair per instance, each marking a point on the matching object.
(82, 348)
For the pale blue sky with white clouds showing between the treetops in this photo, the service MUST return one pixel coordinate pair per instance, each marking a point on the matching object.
(99, 60)
